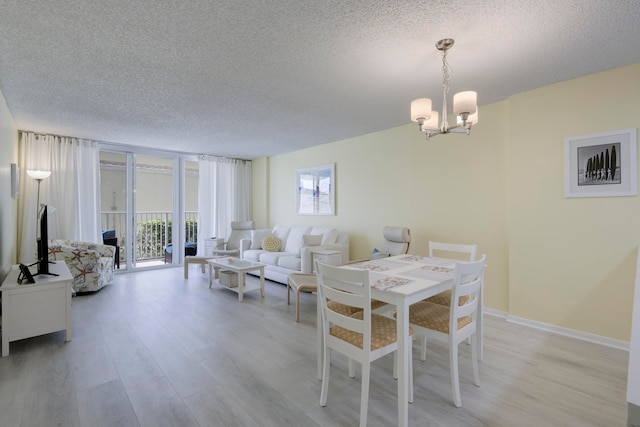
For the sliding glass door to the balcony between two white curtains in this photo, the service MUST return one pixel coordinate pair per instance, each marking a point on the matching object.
(149, 204)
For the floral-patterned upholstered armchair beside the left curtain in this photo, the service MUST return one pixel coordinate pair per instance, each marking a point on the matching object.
(90, 264)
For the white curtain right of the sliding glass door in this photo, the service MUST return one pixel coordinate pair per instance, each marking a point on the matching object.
(224, 195)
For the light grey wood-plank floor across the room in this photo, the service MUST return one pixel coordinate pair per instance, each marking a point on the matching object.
(155, 349)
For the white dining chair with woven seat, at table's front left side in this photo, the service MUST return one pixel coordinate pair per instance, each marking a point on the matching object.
(362, 336)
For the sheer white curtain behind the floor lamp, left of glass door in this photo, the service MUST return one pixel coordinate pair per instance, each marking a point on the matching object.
(71, 193)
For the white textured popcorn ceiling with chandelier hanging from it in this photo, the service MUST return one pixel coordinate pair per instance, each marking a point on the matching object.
(248, 79)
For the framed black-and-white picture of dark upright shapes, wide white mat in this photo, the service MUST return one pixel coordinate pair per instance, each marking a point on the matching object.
(601, 165)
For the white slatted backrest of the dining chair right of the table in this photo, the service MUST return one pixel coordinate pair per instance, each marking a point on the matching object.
(468, 281)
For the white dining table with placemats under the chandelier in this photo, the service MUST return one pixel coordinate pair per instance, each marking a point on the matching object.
(403, 280)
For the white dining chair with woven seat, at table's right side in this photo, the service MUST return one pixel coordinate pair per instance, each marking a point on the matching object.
(455, 323)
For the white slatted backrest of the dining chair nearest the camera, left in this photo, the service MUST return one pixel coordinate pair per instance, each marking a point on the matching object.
(347, 287)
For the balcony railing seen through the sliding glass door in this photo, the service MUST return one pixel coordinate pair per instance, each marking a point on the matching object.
(153, 232)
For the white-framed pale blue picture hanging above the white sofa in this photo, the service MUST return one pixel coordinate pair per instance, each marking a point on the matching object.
(315, 190)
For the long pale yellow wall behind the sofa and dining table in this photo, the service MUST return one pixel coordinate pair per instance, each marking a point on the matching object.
(566, 262)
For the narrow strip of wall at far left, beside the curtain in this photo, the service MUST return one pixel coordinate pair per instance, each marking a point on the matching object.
(8, 205)
